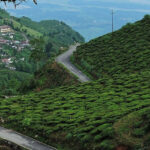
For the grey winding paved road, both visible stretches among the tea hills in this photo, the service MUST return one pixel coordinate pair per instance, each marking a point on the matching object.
(27, 142)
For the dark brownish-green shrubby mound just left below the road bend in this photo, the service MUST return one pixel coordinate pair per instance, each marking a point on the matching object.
(51, 75)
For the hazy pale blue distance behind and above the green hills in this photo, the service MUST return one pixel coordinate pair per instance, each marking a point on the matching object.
(92, 18)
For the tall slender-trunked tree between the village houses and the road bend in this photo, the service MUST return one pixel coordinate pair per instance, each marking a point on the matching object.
(38, 51)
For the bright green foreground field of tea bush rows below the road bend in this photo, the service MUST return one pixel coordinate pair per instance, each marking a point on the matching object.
(99, 115)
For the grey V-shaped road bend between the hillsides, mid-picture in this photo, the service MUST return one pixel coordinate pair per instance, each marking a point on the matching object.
(65, 60)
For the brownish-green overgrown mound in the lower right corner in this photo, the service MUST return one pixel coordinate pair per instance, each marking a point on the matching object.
(134, 129)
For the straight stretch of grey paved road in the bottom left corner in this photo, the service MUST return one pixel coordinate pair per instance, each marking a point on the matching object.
(22, 140)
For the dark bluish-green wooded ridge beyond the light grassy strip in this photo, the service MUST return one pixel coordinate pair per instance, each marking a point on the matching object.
(57, 31)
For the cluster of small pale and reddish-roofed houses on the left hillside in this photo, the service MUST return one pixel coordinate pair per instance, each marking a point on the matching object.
(7, 38)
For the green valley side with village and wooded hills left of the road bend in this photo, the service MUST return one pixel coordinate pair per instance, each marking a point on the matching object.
(15, 48)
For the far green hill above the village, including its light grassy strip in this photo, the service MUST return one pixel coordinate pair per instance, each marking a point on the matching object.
(55, 32)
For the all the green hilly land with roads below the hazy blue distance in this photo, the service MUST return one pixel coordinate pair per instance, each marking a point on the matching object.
(77, 95)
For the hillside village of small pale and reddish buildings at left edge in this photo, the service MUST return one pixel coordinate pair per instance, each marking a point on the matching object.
(9, 40)
